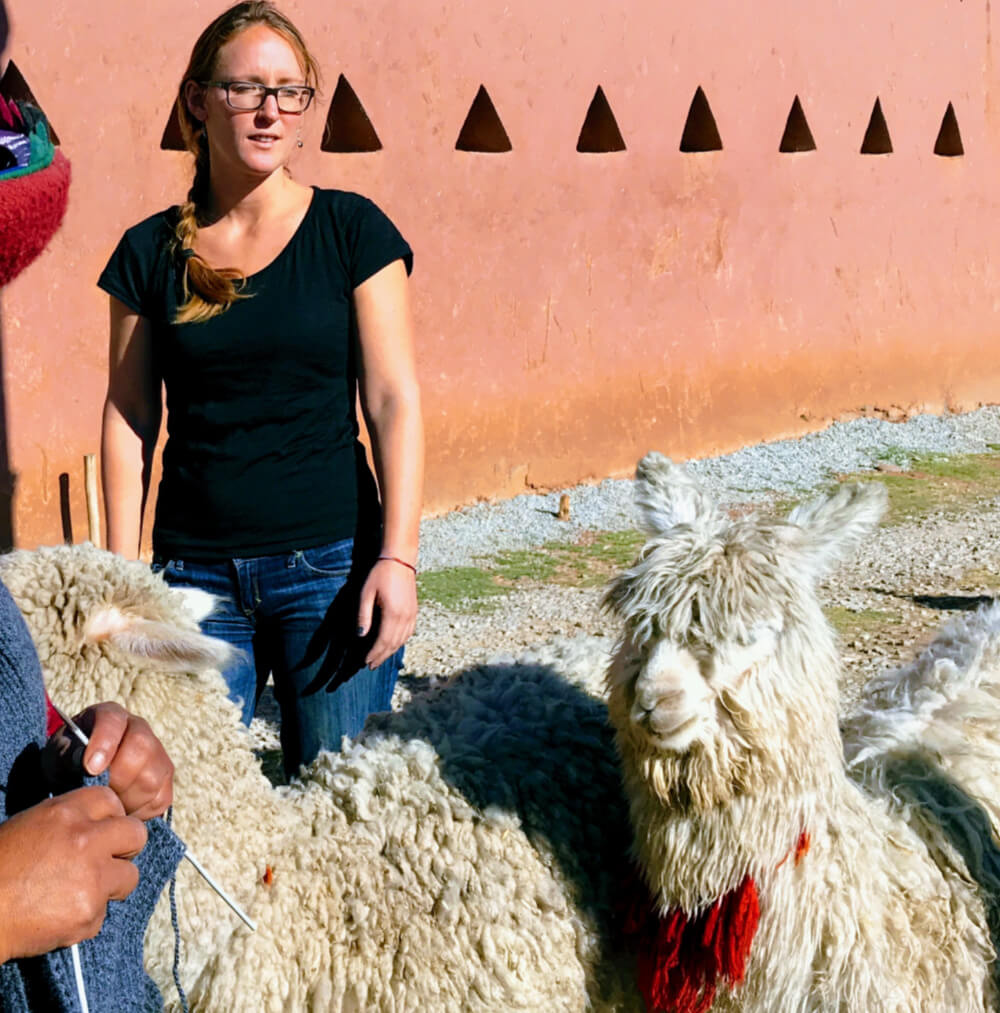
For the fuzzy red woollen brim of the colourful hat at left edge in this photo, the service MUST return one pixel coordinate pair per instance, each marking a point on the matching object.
(32, 208)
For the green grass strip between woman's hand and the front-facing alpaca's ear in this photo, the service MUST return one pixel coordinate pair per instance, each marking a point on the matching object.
(588, 563)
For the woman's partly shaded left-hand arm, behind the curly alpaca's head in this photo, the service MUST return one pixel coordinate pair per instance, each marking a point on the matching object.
(130, 428)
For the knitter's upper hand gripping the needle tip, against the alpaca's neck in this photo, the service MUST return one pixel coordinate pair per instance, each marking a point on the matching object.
(140, 772)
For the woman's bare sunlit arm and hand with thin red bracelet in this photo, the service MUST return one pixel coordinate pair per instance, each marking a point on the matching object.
(392, 404)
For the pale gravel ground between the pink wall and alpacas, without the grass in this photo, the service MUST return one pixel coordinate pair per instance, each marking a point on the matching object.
(908, 580)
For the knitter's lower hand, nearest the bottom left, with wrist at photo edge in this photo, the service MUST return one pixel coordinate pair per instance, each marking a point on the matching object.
(61, 862)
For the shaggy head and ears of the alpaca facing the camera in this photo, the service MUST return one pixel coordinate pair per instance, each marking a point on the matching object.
(722, 619)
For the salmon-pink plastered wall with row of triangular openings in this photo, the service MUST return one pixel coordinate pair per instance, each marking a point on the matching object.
(574, 310)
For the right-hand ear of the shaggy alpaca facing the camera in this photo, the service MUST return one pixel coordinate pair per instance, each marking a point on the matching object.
(832, 527)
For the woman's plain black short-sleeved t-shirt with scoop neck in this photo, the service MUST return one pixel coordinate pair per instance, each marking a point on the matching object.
(263, 453)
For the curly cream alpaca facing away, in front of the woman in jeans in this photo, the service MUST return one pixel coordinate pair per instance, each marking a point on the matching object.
(466, 854)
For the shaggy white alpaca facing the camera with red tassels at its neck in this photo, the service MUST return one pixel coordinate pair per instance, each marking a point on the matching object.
(861, 889)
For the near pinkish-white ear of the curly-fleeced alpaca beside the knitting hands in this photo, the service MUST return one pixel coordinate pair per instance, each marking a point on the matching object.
(146, 639)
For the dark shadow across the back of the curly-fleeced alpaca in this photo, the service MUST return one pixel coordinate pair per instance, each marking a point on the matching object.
(522, 741)
